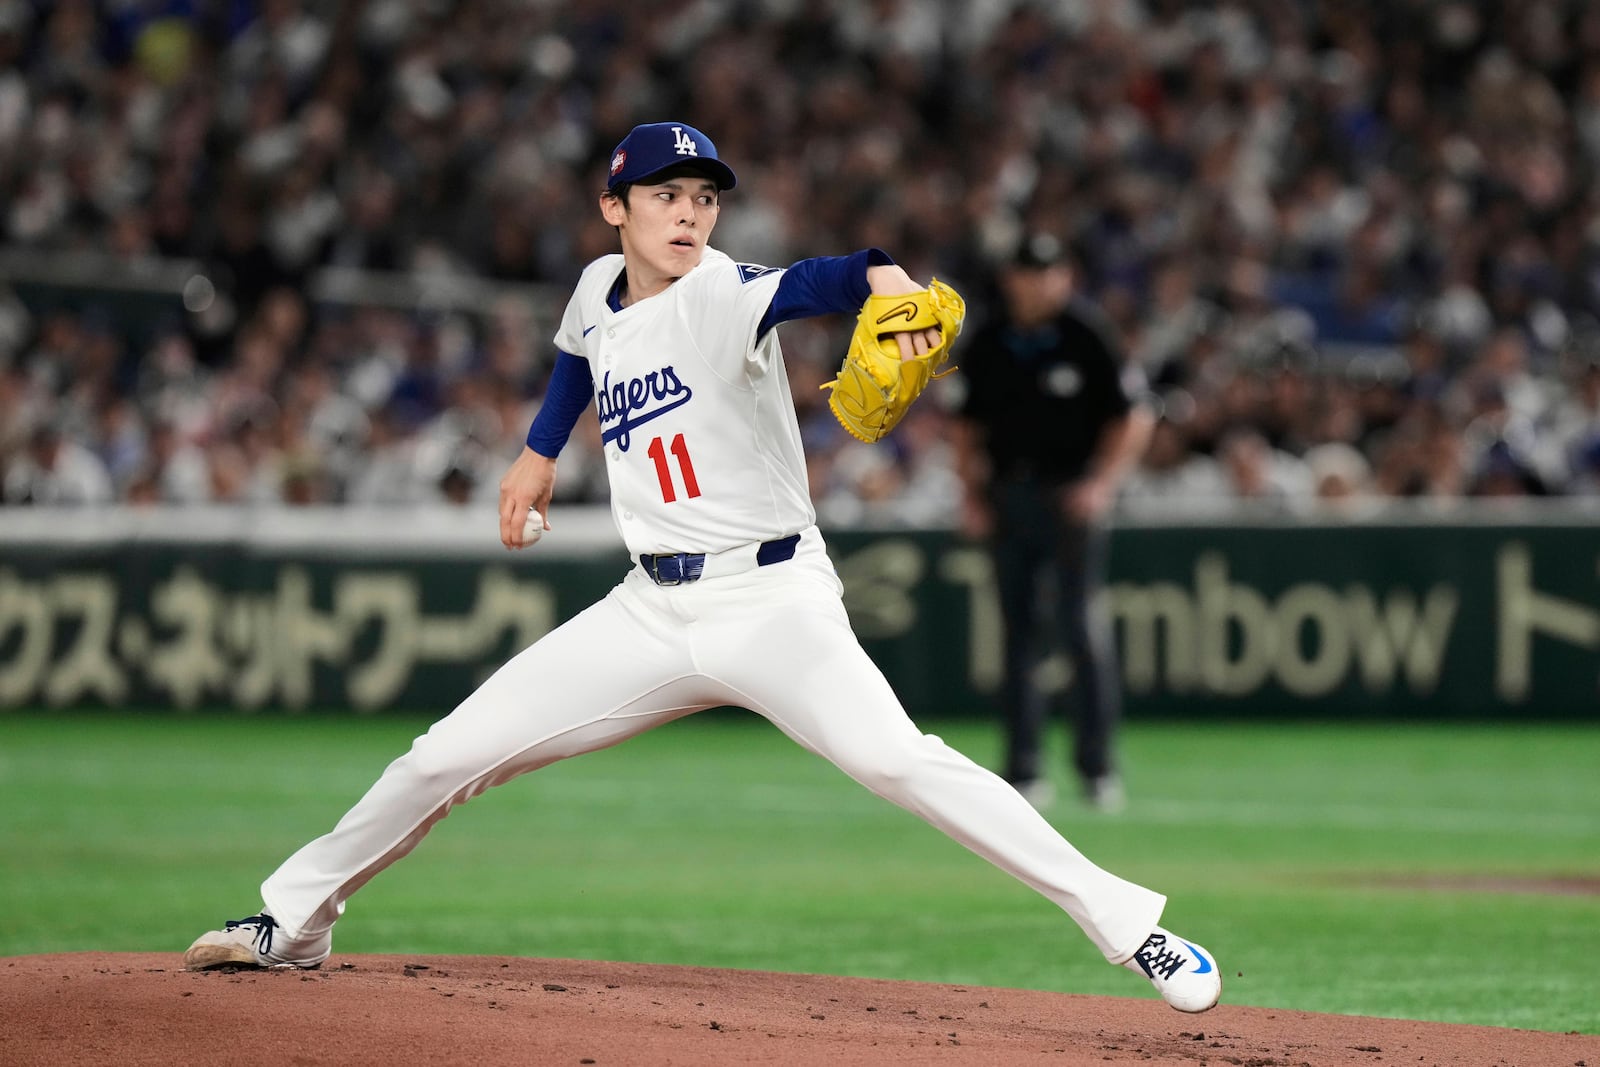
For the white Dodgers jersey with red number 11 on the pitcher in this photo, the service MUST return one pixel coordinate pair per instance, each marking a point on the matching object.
(695, 412)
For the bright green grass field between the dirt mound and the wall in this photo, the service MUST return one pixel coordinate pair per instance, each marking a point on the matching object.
(1430, 873)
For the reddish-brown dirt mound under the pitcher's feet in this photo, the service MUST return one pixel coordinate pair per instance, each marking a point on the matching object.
(143, 1009)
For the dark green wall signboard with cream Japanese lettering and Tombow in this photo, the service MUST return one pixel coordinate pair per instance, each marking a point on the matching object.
(1409, 621)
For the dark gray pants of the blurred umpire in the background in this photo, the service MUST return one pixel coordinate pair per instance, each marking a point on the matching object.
(1050, 570)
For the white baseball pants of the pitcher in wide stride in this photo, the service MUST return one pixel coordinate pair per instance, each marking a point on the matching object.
(775, 641)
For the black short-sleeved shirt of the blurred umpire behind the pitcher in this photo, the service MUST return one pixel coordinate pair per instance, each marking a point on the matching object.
(1044, 396)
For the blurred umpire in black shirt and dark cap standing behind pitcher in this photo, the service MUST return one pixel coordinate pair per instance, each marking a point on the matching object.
(1052, 422)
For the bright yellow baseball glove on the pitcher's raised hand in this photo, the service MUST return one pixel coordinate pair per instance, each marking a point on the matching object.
(876, 386)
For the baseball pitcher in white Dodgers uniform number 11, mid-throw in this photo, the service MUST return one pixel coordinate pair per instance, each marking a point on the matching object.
(732, 599)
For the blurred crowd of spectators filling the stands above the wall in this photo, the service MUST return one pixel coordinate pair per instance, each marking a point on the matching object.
(1353, 246)
